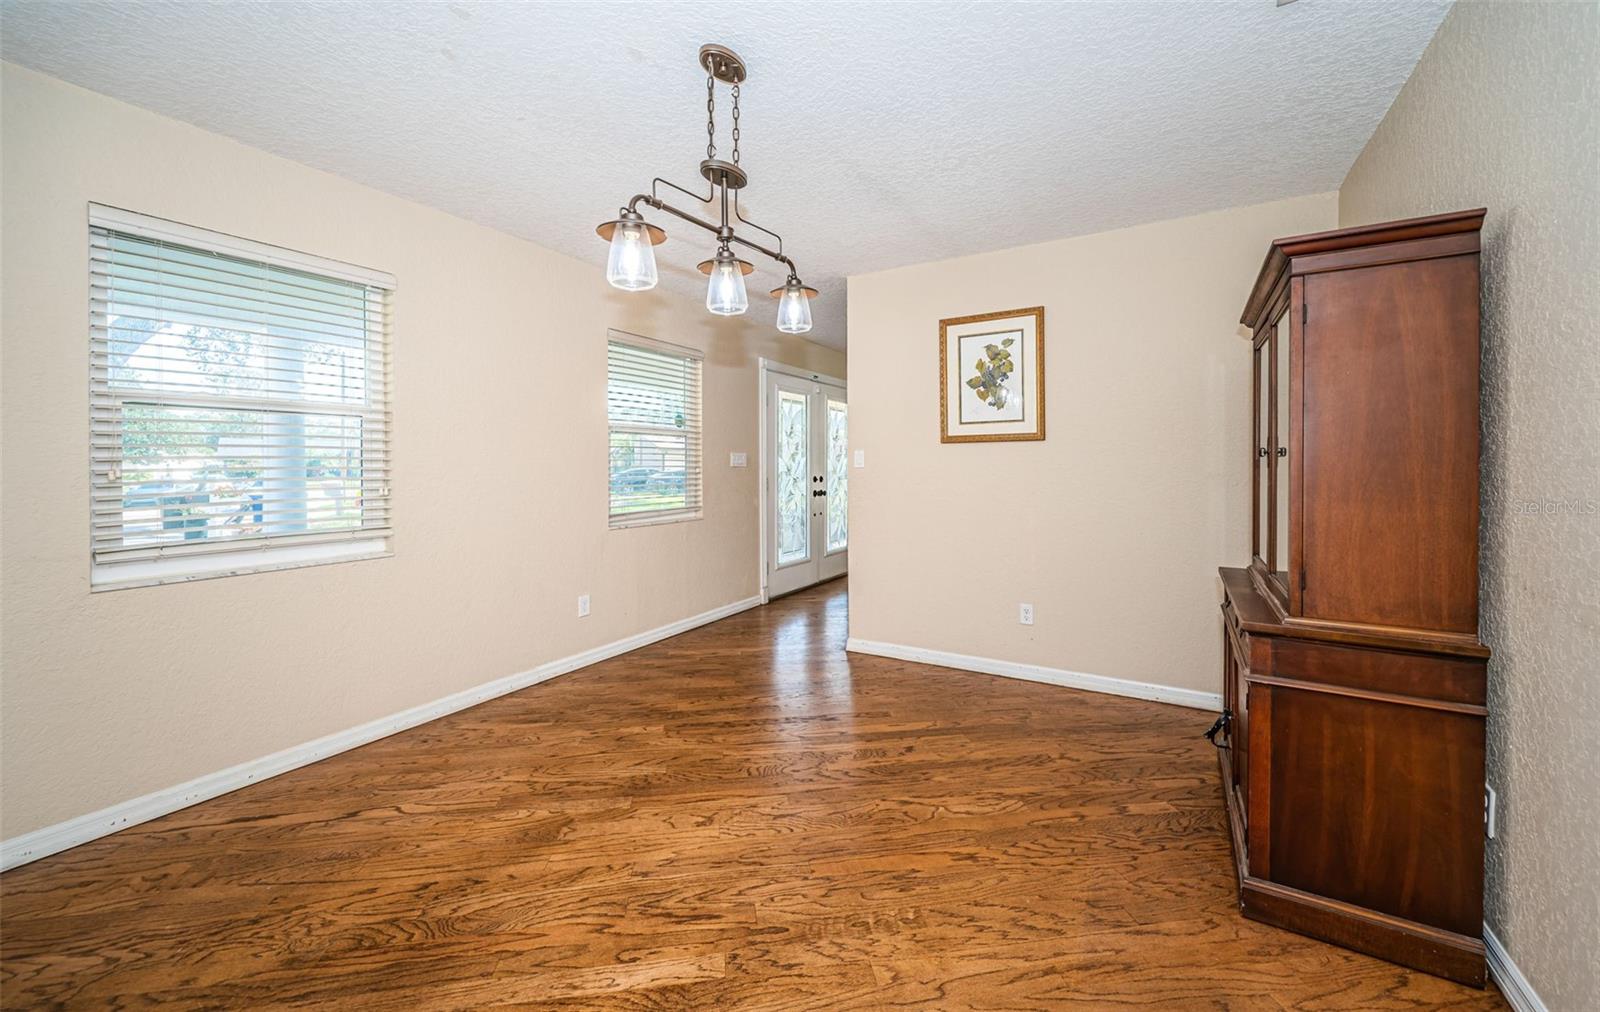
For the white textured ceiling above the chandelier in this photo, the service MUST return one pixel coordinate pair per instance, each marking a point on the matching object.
(876, 135)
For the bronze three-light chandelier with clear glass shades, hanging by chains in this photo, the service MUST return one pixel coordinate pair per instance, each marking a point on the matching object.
(633, 262)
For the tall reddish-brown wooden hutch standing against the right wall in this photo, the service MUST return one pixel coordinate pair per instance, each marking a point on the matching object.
(1353, 736)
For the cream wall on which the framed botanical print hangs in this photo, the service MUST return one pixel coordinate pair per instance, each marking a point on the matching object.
(1113, 526)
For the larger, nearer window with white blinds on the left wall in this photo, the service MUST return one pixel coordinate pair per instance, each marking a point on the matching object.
(239, 404)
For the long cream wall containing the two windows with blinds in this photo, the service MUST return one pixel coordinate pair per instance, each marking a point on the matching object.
(113, 696)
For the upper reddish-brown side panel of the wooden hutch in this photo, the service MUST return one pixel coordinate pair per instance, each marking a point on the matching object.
(1391, 446)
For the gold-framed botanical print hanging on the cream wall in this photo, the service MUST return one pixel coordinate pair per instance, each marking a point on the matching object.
(993, 377)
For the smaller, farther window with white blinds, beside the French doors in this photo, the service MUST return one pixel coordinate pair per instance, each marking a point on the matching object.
(654, 412)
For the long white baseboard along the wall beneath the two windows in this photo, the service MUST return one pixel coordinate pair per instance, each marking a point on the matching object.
(95, 825)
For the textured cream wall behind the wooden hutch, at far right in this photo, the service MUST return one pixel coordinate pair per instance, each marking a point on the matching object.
(1505, 113)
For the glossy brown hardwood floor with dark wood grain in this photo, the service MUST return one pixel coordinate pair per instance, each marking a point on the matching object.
(738, 817)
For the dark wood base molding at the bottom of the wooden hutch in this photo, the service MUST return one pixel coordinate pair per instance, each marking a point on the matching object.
(1420, 947)
